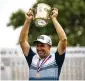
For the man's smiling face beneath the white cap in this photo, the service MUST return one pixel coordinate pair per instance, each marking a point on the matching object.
(43, 50)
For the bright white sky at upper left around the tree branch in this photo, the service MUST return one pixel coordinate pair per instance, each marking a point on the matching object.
(8, 36)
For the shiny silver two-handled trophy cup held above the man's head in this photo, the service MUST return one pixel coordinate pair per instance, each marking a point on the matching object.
(42, 15)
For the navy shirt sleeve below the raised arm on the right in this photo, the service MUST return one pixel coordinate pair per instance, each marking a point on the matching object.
(59, 58)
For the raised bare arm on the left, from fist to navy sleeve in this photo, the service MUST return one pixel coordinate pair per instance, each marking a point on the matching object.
(23, 39)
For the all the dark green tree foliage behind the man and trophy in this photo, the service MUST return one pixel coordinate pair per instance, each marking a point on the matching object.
(71, 17)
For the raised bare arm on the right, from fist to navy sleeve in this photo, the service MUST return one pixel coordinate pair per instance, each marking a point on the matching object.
(62, 36)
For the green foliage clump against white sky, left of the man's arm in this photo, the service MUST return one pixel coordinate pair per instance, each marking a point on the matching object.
(17, 19)
